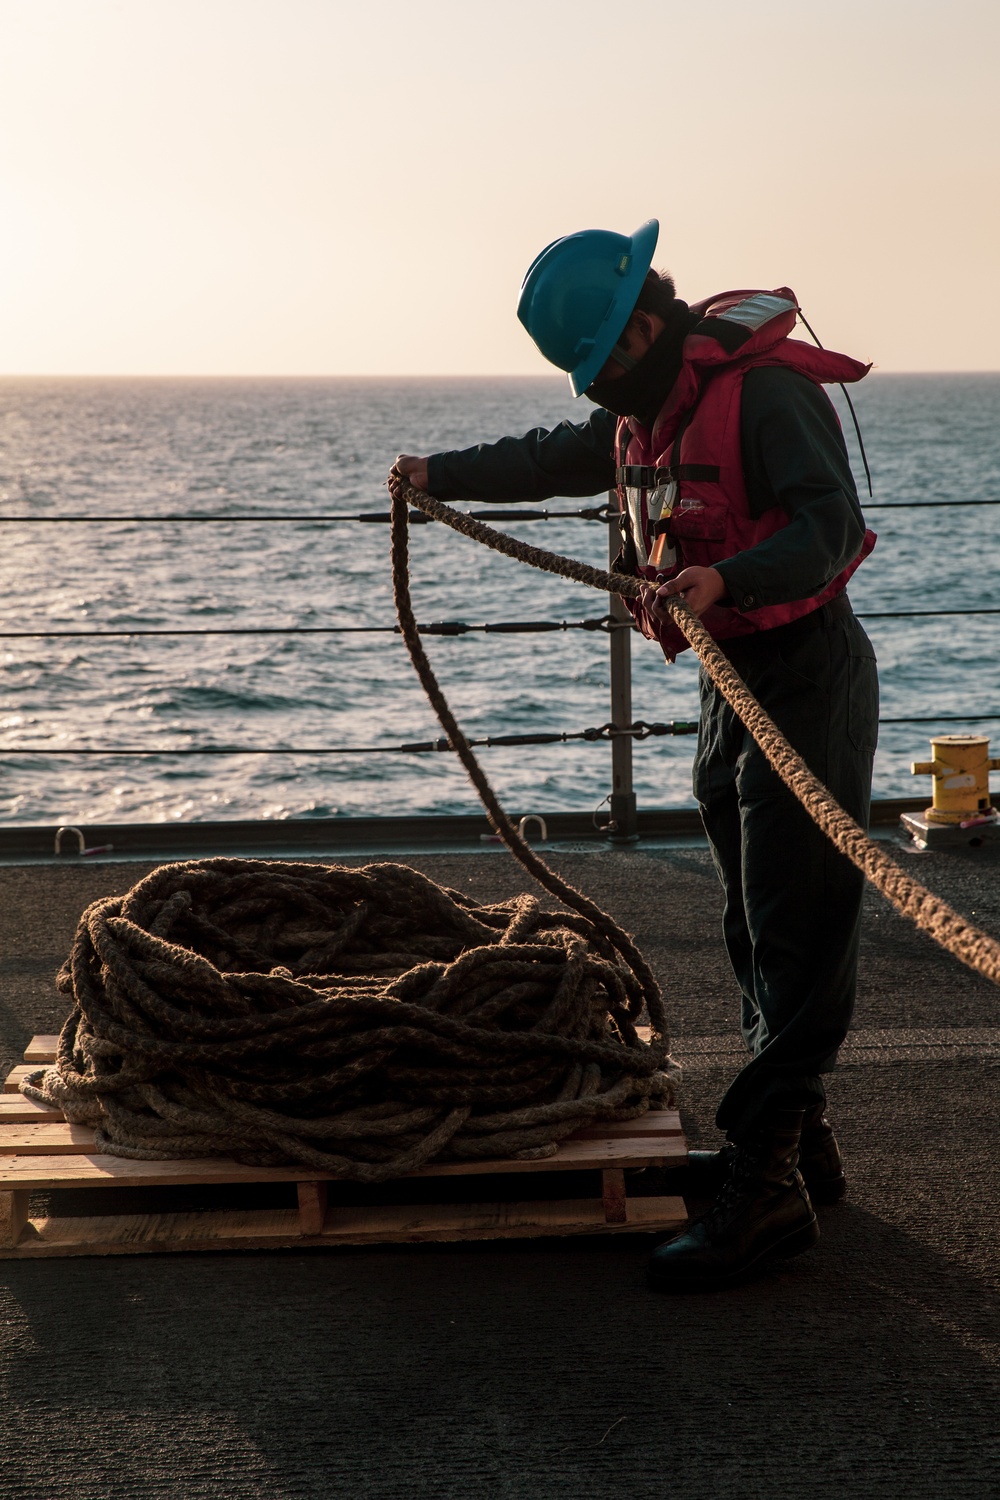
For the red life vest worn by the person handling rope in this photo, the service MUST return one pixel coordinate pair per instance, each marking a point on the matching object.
(681, 485)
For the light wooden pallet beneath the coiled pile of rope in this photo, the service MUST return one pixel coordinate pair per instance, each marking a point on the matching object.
(40, 1151)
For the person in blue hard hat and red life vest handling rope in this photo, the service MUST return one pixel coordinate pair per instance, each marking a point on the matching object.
(735, 491)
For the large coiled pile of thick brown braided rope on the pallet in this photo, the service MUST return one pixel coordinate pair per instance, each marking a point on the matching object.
(361, 1022)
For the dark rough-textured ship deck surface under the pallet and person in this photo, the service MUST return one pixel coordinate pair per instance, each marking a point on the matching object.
(545, 1369)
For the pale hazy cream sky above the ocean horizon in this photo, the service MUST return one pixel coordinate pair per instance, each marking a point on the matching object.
(332, 187)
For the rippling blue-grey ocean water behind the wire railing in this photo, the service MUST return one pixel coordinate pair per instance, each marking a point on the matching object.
(224, 448)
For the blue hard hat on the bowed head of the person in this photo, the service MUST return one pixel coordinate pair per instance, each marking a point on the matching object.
(579, 295)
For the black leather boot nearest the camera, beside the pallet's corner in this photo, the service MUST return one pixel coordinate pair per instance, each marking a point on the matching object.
(762, 1214)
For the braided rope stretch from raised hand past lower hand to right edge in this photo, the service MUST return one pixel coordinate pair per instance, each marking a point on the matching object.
(914, 901)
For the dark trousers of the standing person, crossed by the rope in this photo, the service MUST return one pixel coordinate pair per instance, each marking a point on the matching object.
(792, 919)
